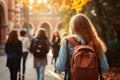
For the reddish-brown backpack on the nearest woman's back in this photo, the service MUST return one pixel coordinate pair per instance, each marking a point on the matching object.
(84, 62)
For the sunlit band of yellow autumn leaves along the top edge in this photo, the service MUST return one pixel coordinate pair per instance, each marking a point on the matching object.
(37, 6)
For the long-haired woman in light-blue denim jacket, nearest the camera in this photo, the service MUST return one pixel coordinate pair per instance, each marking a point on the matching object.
(82, 30)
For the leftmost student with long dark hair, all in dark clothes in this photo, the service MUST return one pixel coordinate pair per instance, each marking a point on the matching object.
(13, 49)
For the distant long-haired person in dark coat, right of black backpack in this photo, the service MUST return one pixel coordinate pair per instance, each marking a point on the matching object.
(55, 45)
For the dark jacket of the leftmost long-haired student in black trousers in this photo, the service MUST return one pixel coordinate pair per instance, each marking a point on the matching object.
(14, 52)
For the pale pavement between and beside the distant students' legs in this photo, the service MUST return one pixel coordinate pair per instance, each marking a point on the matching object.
(30, 71)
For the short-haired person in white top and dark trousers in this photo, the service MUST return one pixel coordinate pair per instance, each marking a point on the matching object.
(25, 50)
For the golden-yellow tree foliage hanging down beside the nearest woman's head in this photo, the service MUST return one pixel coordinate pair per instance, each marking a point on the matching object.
(68, 8)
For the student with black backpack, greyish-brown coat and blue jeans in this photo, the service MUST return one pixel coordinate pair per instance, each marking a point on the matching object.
(39, 47)
